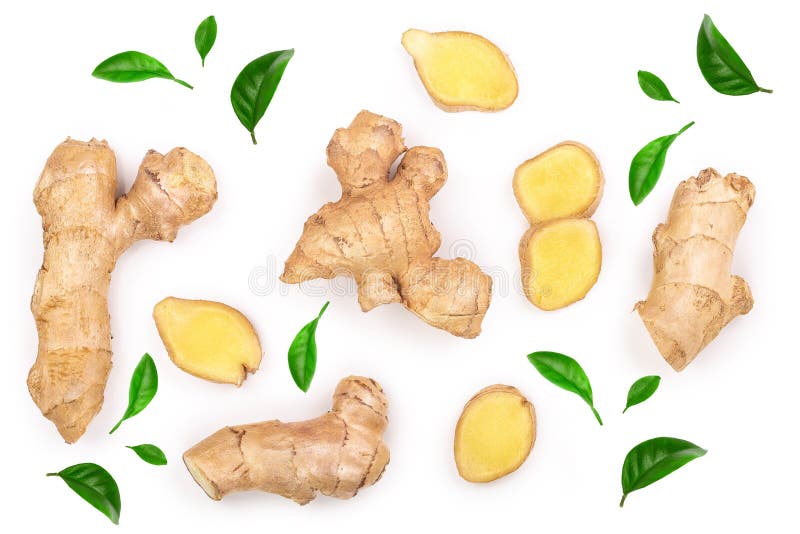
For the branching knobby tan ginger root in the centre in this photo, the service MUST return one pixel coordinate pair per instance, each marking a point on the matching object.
(380, 233)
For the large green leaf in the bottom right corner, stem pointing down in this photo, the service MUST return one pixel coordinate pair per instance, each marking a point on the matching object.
(652, 460)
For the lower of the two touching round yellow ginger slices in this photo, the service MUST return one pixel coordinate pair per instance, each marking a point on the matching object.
(562, 262)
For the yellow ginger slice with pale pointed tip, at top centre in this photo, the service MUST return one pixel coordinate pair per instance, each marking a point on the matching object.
(462, 71)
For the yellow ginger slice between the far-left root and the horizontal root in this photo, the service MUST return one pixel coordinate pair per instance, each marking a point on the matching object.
(208, 339)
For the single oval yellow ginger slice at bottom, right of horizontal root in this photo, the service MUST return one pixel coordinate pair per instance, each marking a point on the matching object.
(495, 434)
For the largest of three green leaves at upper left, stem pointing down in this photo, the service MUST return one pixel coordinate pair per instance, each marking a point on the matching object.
(255, 86)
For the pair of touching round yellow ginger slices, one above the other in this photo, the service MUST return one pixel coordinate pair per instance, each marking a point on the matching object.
(560, 255)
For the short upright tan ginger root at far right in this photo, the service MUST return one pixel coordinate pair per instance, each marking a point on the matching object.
(693, 295)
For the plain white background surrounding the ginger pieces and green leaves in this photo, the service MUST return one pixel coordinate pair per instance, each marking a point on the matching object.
(577, 64)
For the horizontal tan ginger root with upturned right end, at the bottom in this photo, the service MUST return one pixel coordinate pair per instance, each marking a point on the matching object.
(336, 454)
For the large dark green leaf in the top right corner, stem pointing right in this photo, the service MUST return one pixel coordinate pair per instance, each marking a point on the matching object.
(721, 66)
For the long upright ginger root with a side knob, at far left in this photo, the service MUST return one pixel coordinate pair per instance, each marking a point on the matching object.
(86, 228)
